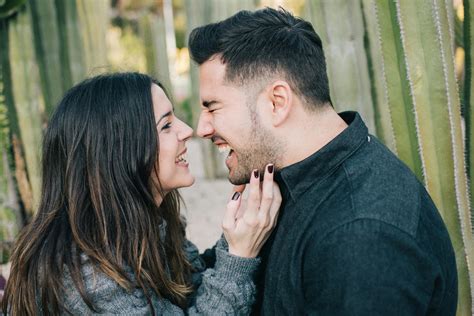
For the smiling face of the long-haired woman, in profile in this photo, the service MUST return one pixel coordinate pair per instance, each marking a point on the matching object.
(172, 133)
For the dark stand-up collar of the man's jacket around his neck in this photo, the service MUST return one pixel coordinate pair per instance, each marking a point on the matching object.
(298, 177)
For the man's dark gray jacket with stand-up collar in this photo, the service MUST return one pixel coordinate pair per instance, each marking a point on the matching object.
(357, 235)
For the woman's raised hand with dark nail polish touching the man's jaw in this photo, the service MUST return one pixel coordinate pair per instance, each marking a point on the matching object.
(248, 224)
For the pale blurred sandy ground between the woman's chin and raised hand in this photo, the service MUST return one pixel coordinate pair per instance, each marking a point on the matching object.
(205, 202)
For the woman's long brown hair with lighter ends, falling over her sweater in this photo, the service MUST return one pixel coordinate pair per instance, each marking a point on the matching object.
(100, 150)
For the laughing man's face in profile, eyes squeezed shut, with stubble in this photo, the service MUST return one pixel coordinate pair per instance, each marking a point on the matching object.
(230, 117)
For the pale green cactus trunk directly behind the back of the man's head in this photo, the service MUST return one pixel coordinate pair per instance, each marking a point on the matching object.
(340, 25)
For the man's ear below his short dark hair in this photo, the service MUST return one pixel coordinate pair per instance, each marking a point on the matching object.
(281, 96)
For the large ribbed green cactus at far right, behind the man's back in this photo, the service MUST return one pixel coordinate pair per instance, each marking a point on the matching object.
(418, 101)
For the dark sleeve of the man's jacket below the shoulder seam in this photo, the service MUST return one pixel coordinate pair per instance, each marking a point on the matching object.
(368, 267)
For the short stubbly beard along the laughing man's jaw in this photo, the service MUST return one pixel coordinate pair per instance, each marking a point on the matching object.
(263, 149)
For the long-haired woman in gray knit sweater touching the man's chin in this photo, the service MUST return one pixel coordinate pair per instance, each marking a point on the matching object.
(108, 237)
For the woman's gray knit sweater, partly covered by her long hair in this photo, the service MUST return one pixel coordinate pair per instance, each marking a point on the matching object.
(227, 289)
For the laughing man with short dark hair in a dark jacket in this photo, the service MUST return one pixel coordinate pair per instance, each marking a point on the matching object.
(357, 233)
